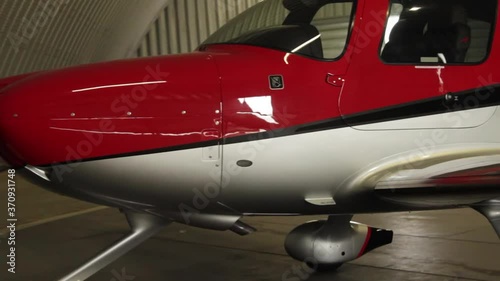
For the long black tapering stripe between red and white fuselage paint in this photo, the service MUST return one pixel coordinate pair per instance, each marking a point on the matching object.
(465, 100)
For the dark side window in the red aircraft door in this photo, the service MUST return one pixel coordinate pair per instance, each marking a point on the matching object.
(438, 31)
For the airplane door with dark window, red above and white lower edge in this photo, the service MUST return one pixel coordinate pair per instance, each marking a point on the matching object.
(414, 60)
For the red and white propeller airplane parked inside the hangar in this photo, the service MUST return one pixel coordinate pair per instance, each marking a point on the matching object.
(295, 107)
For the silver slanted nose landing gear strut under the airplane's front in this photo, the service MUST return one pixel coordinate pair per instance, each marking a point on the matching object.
(143, 226)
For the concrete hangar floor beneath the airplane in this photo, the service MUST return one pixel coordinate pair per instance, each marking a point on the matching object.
(57, 234)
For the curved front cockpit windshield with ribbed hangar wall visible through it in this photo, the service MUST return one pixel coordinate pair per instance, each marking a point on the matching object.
(318, 29)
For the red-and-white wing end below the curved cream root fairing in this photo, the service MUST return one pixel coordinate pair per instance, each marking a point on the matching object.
(458, 182)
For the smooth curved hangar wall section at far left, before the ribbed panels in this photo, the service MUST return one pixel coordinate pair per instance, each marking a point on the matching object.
(48, 34)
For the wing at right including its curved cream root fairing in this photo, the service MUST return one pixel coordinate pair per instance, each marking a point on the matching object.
(452, 176)
